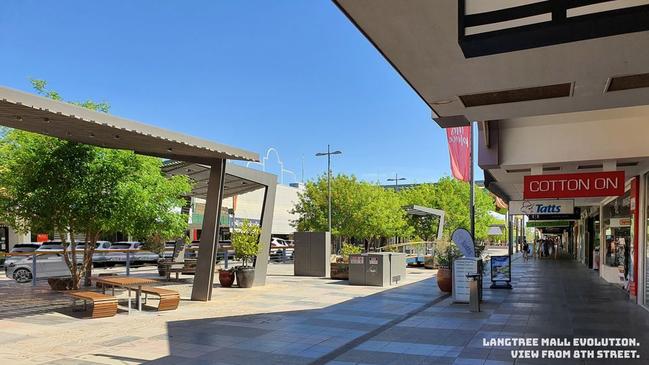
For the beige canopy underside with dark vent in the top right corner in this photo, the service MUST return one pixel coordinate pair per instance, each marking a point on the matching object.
(421, 39)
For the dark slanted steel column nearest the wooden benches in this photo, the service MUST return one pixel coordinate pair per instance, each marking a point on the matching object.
(204, 278)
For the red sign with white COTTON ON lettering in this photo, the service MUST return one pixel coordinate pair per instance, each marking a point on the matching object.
(593, 184)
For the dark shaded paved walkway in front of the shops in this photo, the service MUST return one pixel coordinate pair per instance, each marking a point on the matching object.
(416, 324)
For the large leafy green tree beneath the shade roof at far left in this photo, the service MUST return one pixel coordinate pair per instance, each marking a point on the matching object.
(52, 185)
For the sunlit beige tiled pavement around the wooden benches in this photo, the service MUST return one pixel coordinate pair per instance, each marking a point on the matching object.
(29, 336)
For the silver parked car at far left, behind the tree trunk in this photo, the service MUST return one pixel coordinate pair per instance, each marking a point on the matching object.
(46, 266)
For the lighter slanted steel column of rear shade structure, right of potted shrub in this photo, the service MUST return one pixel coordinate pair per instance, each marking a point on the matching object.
(261, 262)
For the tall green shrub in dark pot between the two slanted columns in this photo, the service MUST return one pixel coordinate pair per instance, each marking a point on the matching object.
(245, 242)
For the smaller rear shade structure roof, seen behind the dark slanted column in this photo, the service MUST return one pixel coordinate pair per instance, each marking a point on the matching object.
(238, 179)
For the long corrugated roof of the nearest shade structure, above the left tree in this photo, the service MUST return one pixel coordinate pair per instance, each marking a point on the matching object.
(70, 122)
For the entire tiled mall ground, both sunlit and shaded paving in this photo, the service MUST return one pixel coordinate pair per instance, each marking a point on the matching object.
(312, 323)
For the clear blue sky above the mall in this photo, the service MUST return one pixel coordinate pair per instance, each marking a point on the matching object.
(293, 75)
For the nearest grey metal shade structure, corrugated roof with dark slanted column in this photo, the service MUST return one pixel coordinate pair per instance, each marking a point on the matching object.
(58, 119)
